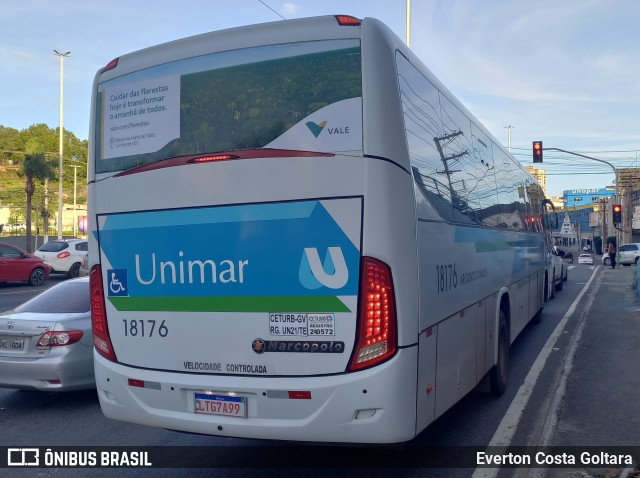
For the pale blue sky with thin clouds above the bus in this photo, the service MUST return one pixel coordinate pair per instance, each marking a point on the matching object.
(566, 73)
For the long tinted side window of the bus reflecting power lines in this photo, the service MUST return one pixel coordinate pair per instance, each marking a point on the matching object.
(463, 174)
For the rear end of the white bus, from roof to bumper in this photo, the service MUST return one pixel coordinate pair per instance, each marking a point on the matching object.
(243, 247)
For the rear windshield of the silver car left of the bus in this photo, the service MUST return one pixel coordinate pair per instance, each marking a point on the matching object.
(66, 297)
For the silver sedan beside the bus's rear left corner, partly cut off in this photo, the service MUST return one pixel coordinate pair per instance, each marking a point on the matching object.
(46, 343)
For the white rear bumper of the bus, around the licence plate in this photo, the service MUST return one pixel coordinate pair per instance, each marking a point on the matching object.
(376, 405)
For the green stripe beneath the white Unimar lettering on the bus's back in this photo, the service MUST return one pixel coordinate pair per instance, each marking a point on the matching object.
(231, 304)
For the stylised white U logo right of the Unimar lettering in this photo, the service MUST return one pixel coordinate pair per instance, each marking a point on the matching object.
(331, 273)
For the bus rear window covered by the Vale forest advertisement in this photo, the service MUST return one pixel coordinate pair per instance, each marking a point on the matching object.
(279, 96)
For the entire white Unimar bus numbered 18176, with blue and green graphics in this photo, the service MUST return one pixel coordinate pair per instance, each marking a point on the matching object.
(298, 233)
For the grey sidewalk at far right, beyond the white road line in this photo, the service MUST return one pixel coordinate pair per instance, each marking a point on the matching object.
(601, 405)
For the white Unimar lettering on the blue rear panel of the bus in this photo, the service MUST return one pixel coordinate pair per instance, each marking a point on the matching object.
(150, 270)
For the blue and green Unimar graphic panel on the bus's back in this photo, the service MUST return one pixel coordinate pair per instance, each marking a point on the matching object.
(233, 257)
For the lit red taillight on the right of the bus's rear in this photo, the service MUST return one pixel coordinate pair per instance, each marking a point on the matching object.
(377, 323)
